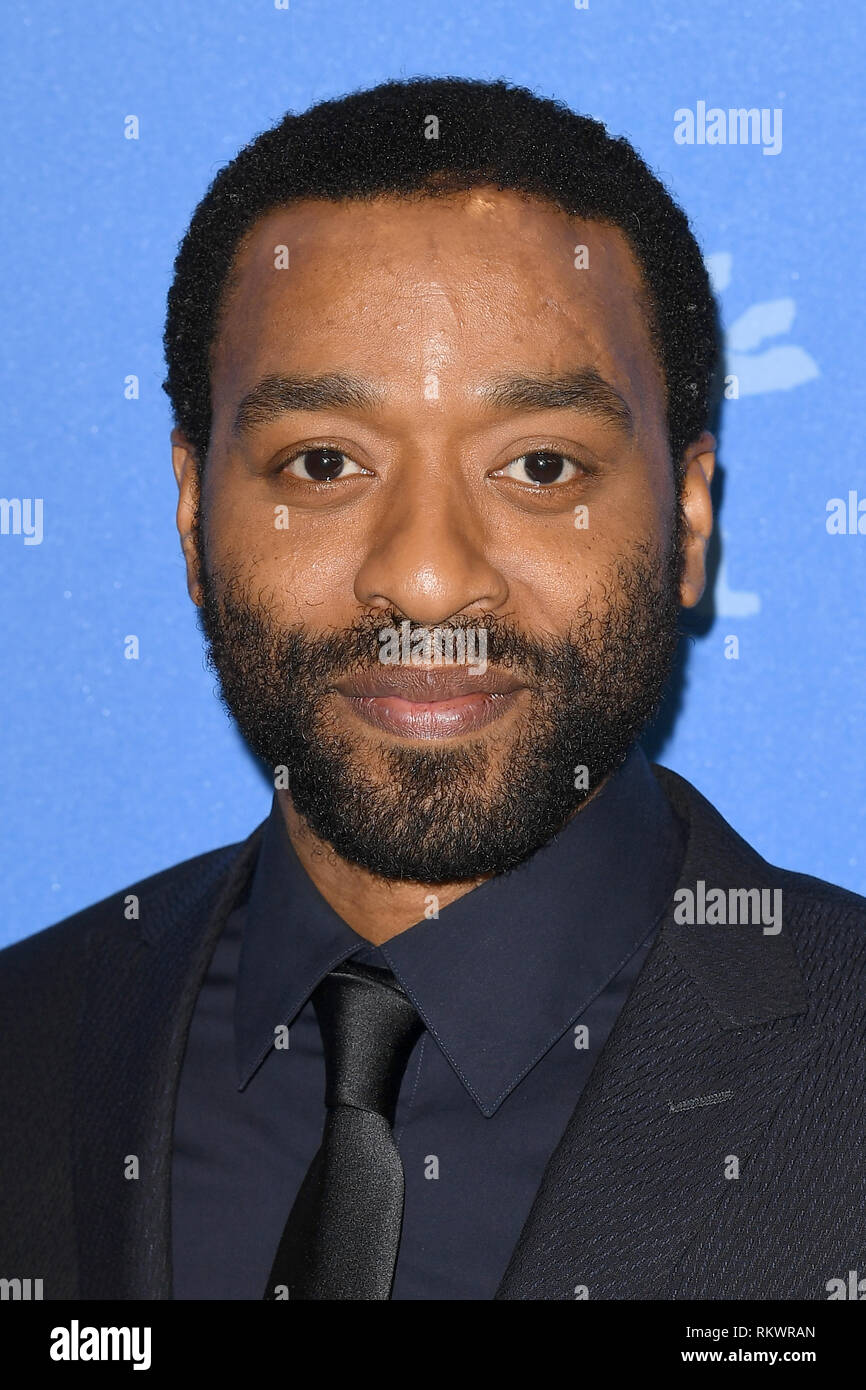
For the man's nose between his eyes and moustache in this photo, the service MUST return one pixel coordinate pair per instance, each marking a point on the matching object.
(429, 558)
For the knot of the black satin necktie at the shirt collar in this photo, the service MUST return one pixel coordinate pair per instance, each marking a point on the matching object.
(369, 1028)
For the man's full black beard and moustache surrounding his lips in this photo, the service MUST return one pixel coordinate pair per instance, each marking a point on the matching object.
(464, 811)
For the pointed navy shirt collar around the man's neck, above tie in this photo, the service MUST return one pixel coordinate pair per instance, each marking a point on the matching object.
(505, 970)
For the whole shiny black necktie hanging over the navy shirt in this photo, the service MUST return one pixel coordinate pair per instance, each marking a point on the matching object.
(344, 1231)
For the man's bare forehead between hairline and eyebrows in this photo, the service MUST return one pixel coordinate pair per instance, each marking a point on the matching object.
(462, 283)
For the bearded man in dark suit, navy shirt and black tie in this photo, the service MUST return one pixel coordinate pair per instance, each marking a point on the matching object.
(489, 1007)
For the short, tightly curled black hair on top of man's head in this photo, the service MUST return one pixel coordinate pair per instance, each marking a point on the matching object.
(377, 142)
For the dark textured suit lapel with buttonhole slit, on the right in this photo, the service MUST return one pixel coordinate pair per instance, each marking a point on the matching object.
(701, 1060)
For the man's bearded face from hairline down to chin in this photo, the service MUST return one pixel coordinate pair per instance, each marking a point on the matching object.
(350, 534)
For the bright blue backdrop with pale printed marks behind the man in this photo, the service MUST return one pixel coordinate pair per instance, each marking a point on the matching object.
(115, 768)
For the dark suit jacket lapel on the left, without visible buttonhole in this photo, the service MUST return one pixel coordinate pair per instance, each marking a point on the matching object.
(141, 992)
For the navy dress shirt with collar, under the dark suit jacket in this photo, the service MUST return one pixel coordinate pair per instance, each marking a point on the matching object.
(519, 985)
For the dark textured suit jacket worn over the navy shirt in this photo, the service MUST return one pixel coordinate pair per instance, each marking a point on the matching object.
(735, 1045)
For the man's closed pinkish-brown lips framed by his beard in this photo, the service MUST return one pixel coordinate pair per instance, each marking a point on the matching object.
(430, 704)
